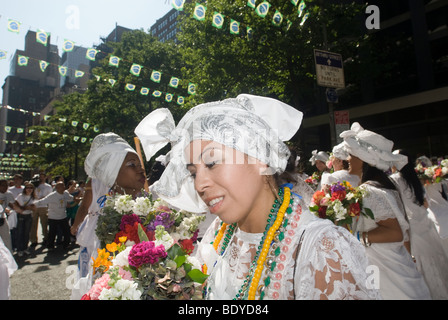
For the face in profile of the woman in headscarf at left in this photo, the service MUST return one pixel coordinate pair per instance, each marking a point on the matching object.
(131, 176)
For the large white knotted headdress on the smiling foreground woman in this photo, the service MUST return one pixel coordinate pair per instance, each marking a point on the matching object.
(254, 125)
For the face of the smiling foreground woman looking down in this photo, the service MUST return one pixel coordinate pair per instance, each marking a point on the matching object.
(230, 183)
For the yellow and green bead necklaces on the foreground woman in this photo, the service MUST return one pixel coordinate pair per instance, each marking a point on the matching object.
(271, 235)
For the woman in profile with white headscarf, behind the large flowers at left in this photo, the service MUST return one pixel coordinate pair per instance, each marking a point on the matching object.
(114, 167)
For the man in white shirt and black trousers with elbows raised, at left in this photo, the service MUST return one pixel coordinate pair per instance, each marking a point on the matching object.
(57, 216)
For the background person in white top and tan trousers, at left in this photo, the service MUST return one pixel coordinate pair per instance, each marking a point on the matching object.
(42, 190)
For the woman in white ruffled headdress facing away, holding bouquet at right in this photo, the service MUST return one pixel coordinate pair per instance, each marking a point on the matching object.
(371, 155)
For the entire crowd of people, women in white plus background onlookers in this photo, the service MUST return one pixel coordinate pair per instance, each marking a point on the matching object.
(229, 160)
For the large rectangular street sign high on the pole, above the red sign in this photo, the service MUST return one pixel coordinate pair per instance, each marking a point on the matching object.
(329, 69)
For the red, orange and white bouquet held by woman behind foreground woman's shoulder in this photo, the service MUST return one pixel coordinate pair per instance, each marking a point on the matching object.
(340, 203)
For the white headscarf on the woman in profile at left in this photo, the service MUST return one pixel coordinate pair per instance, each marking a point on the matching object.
(105, 157)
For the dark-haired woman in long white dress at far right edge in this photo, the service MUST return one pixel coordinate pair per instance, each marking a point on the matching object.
(425, 246)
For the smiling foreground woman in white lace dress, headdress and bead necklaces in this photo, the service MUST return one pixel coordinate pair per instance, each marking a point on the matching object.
(225, 157)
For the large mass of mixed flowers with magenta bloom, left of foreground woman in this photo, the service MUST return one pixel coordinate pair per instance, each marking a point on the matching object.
(146, 251)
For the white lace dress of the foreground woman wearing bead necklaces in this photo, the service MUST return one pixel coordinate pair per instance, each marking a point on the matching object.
(330, 264)
